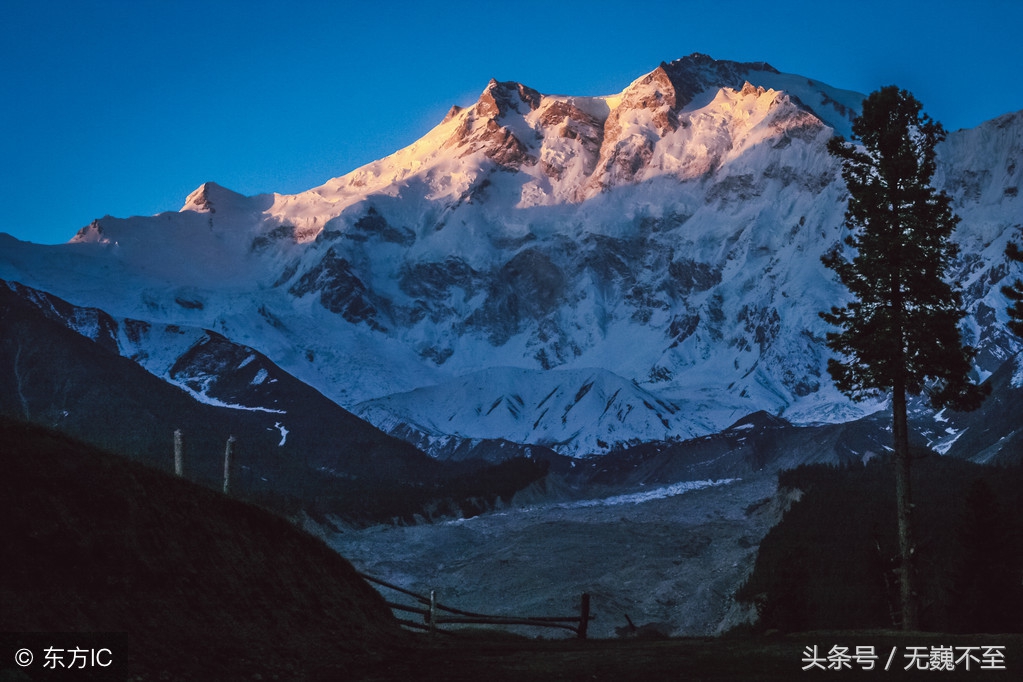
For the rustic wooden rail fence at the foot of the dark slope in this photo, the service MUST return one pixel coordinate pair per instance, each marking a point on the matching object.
(435, 614)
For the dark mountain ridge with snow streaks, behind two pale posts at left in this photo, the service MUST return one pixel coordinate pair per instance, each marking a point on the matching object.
(325, 462)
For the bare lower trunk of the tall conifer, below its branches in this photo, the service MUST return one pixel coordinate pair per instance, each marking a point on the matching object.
(904, 509)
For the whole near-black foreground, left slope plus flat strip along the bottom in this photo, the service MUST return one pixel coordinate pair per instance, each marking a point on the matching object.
(183, 583)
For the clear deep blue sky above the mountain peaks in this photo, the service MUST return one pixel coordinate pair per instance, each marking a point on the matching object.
(124, 108)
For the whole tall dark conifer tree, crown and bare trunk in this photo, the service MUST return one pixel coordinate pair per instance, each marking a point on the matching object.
(900, 335)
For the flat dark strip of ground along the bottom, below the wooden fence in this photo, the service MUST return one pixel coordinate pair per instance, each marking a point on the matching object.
(733, 658)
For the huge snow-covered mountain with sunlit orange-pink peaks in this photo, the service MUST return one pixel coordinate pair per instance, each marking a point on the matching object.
(577, 272)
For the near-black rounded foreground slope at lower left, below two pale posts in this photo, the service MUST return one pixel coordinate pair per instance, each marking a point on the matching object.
(199, 586)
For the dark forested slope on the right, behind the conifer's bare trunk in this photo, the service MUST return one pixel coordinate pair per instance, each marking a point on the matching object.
(831, 563)
